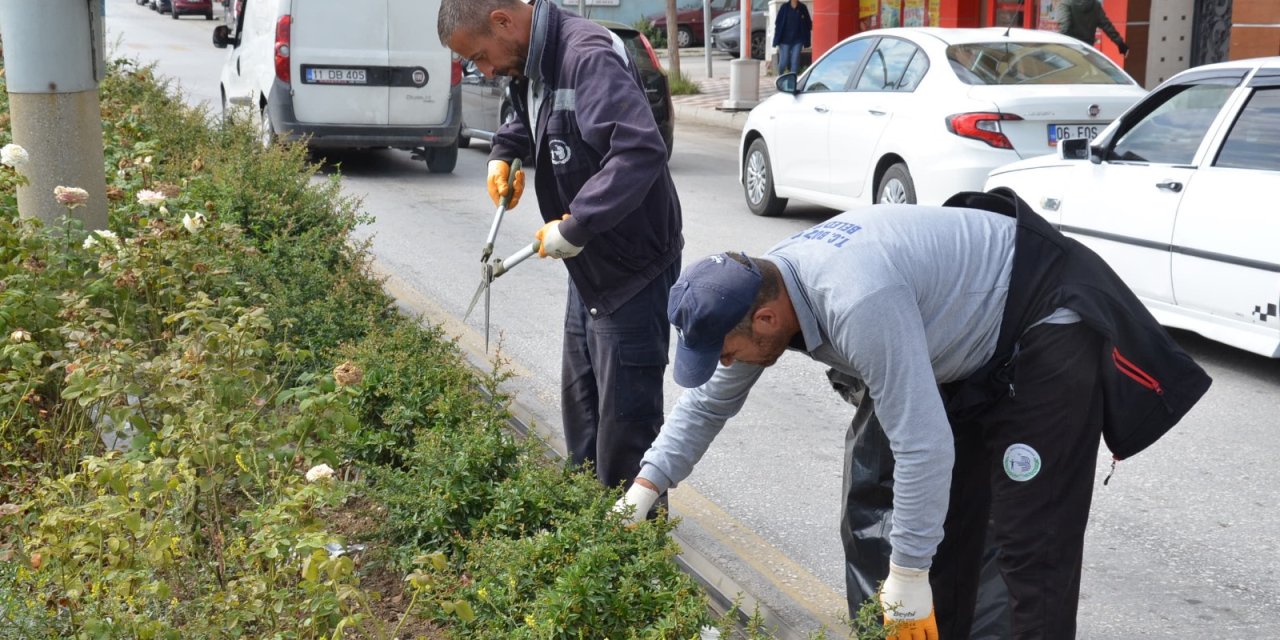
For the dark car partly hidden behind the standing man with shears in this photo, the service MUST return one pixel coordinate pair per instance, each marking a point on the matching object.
(486, 104)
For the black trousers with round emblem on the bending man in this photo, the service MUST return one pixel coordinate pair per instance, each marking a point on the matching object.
(1025, 467)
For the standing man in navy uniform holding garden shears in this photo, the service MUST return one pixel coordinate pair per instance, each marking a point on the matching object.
(610, 208)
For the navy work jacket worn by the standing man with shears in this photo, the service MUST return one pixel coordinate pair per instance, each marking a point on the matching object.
(598, 156)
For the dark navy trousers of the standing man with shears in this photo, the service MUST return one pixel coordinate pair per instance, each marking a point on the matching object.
(611, 380)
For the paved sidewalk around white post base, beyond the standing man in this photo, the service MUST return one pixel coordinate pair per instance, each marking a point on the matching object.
(705, 108)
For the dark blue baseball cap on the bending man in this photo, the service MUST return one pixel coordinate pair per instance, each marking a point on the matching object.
(708, 300)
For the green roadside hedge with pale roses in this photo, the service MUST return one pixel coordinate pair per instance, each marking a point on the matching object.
(221, 350)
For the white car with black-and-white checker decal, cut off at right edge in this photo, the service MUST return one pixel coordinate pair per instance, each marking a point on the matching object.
(1178, 198)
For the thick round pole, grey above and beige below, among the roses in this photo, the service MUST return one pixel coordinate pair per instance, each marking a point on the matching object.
(54, 57)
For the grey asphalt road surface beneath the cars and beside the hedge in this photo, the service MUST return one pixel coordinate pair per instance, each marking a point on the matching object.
(1182, 542)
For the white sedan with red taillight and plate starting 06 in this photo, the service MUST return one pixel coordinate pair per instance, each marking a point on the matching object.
(918, 115)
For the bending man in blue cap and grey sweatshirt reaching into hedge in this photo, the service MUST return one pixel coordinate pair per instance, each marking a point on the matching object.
(993, 372)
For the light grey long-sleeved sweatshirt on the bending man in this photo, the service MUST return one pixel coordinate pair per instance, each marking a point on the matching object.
(903, 298)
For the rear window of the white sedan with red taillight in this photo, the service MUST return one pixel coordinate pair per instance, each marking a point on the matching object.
(1032, 63)
